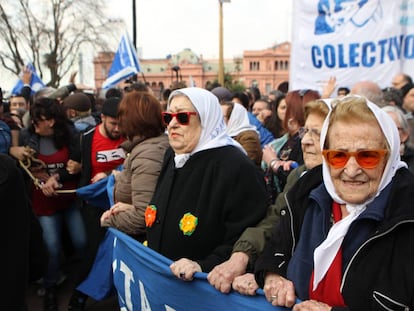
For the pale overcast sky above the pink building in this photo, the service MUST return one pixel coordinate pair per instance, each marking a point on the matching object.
(168, 26)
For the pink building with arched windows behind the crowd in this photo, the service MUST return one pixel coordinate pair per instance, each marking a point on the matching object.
(266, 69)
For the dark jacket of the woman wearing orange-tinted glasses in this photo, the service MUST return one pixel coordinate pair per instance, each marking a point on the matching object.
(378, 271)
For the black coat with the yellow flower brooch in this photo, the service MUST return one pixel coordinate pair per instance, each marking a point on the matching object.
(223, 188)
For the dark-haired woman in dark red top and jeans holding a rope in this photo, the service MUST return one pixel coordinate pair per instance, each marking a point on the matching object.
(54, 142)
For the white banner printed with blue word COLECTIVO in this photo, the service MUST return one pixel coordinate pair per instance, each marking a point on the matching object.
(352, 40)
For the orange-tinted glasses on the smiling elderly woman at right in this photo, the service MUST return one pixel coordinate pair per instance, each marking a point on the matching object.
(365, 158)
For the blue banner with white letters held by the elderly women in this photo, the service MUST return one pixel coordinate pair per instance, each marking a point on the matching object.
(144, 281)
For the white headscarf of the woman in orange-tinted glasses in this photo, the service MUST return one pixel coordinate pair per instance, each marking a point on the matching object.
(325, 253)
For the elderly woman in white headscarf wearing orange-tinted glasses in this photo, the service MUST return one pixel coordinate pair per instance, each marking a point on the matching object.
(348, 244)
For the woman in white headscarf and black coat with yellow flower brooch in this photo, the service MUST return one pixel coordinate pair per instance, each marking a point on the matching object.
(208, 190)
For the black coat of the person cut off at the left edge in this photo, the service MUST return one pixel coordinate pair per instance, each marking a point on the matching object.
(24, 254)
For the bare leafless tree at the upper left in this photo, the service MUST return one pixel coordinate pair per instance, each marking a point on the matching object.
(50, 33)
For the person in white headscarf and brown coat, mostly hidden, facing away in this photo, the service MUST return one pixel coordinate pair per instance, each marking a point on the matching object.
(240, 129)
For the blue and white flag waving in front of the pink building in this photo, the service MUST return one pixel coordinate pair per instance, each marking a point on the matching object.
(124, 65)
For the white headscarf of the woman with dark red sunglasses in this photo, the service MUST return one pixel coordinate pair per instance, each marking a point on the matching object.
(213, 128)
